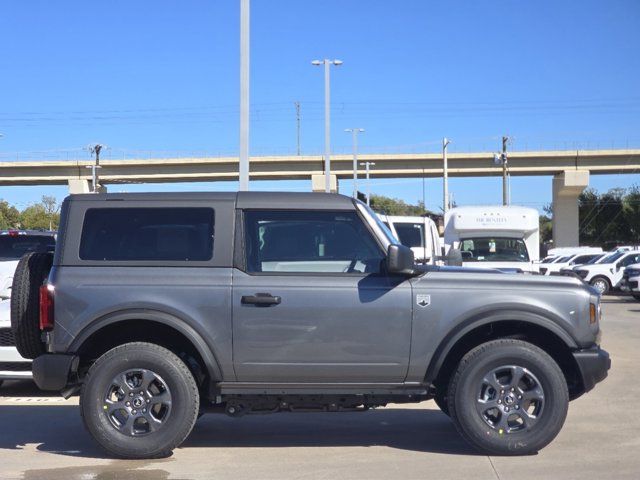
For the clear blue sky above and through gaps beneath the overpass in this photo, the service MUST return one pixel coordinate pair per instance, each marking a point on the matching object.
(161, 78)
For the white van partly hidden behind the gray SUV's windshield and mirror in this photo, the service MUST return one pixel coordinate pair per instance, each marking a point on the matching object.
(418, 233)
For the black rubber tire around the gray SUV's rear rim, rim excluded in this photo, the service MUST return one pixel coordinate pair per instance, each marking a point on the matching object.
(185, 401)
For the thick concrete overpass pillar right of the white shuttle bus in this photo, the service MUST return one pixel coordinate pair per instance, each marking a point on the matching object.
(567, 186)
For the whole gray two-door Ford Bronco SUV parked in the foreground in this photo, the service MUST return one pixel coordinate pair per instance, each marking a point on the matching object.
(157, 308)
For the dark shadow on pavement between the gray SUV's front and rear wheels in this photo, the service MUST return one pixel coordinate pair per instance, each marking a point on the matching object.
(415, 429)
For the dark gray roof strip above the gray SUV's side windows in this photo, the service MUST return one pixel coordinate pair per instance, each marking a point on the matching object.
(293, 200)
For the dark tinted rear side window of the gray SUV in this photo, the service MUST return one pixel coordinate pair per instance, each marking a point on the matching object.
(147, 234)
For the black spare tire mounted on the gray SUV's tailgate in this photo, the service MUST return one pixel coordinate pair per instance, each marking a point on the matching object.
(31, 272)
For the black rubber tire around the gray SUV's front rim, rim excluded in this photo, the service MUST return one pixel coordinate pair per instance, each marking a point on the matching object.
(463, 395)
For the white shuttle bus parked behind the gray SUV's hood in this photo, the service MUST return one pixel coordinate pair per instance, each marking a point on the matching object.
(502, 237)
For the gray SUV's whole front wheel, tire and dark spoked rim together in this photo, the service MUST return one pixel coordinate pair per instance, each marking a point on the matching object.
(508, 397)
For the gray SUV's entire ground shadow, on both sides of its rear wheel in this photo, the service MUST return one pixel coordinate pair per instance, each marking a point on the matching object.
(58, 429)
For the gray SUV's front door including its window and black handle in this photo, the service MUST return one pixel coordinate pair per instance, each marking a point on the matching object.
(312, 302)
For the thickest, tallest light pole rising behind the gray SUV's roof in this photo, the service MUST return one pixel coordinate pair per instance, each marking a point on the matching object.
(243, 172)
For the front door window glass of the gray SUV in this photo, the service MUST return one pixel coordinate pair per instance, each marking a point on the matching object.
(310, 242)
